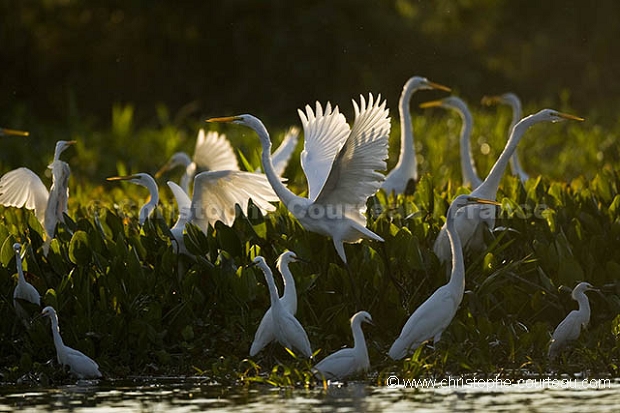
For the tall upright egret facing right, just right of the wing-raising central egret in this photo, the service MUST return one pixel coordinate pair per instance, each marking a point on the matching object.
(407, 167)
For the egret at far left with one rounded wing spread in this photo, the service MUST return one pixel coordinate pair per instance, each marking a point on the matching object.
(23, 188)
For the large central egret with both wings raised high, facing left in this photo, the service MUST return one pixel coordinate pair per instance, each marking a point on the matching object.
(340, 164)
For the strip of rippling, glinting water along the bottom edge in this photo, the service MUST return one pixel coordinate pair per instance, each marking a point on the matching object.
(186, 395)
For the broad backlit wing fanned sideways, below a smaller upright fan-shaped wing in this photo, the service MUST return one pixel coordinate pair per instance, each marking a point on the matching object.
(217, 192)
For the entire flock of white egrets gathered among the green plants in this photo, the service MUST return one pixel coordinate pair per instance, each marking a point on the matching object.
(341, 163)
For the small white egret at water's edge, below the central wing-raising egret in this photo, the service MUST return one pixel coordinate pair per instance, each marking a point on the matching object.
(347, 361)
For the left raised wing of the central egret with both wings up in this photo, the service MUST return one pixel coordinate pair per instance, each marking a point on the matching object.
(324, 134)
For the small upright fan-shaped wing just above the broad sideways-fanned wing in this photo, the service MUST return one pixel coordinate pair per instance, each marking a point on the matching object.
(214, 153)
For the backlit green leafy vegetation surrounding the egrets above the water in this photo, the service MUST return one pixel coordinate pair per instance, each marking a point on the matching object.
(125, 299)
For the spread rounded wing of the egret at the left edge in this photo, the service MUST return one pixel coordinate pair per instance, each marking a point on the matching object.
(22, 188)
